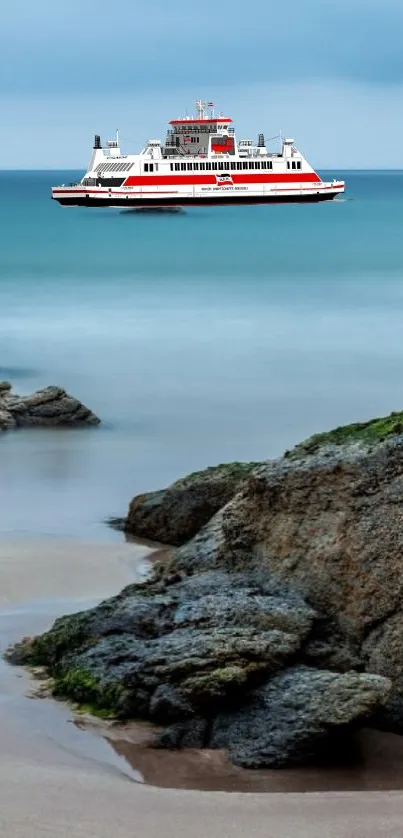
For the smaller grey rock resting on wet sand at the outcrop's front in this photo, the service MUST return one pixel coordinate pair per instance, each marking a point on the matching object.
(289, 719)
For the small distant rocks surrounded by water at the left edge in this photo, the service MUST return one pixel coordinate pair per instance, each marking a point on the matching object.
(50, 407)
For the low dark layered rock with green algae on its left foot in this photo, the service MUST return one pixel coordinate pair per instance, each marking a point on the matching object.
(148, 653)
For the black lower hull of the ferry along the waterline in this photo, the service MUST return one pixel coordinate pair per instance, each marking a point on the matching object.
(126, 203)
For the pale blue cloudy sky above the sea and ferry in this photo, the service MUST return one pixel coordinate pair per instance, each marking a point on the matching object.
(329, 74)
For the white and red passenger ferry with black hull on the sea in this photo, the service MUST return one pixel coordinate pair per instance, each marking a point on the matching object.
(201, 162)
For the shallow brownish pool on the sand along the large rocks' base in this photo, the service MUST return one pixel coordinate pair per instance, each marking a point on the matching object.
(373, 763)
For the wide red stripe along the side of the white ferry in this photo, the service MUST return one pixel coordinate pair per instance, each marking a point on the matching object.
(202, 180)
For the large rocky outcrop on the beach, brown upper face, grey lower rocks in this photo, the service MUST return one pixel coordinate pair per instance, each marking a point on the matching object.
(277, 629)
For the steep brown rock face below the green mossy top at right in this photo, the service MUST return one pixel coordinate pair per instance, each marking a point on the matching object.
(327, 525)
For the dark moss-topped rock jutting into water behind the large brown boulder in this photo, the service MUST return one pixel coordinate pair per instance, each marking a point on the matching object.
(176, 514)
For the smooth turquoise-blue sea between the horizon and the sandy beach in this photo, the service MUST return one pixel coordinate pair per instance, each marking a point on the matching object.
(211, 335)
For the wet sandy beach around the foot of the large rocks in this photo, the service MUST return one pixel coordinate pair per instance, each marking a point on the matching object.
(57, 779)
